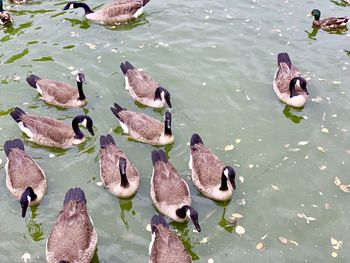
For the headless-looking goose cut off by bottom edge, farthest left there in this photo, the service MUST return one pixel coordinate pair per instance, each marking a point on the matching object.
(73, 237)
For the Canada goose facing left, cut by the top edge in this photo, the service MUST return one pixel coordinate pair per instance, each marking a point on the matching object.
(113, 13)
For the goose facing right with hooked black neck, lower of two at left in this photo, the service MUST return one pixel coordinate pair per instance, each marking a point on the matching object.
(51, 132)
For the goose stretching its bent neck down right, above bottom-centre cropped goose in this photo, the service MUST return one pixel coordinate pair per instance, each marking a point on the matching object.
(169, 191)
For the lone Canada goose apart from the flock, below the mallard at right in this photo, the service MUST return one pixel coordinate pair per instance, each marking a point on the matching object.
(288, 84)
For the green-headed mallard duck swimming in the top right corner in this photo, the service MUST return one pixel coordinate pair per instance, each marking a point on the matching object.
(331, 23)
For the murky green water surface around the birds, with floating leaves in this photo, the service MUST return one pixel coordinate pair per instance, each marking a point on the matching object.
(217, 58)
